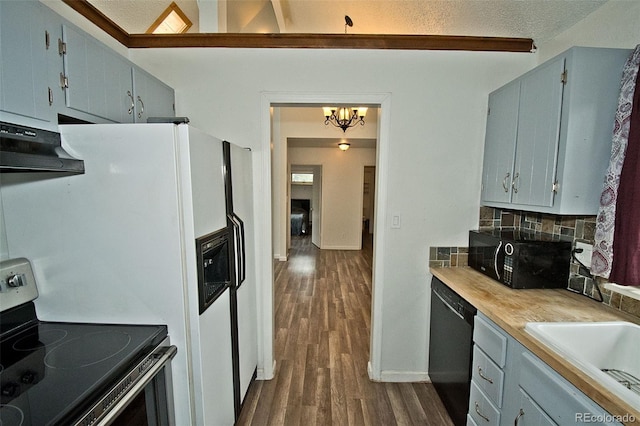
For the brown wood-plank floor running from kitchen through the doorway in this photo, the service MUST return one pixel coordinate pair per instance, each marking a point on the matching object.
(322, 327)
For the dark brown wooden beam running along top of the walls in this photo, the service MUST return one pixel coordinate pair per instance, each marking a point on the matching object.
(300, 41)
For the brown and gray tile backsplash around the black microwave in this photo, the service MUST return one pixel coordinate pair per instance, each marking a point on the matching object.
(579, 228)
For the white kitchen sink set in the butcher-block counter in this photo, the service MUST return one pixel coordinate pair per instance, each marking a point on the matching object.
(609, 352)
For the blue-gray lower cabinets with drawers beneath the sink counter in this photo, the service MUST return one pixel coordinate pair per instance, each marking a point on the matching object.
(511, 386)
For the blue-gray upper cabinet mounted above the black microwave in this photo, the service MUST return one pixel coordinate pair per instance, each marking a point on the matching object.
(548, 137)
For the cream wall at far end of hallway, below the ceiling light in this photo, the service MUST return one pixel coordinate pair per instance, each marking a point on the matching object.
(342, 182)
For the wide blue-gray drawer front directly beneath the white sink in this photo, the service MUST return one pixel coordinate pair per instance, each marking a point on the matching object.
(562, 401)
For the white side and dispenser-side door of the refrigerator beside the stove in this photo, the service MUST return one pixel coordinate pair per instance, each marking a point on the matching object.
(117, 245)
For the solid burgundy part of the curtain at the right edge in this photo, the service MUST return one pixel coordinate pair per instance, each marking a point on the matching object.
(625, 269)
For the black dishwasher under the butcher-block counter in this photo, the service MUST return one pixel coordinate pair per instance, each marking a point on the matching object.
(450, 348)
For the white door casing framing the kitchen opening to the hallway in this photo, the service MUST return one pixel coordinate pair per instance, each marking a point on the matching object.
(270, 161)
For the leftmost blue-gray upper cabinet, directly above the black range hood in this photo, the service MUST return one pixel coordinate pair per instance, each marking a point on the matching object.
(28, 46)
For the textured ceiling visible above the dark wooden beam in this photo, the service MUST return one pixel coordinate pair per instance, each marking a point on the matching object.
(537, 19)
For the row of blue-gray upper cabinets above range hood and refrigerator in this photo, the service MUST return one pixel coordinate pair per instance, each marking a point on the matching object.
(50, 67)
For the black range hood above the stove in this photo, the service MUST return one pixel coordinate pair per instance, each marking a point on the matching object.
(25, 149)
